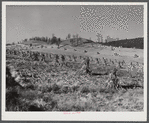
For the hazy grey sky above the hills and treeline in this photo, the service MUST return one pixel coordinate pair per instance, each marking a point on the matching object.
(116, 21)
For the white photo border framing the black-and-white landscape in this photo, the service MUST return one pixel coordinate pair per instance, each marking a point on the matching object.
(80, 116)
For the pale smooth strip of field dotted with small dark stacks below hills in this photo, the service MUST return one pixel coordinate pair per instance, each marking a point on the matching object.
(126, 54)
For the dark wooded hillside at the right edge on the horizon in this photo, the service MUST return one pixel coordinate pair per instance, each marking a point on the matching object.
(127, 43)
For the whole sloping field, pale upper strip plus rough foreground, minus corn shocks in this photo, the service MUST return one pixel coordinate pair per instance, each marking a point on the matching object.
(42, 85)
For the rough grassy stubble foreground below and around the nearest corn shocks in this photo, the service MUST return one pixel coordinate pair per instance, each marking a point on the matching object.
(43, 87)
